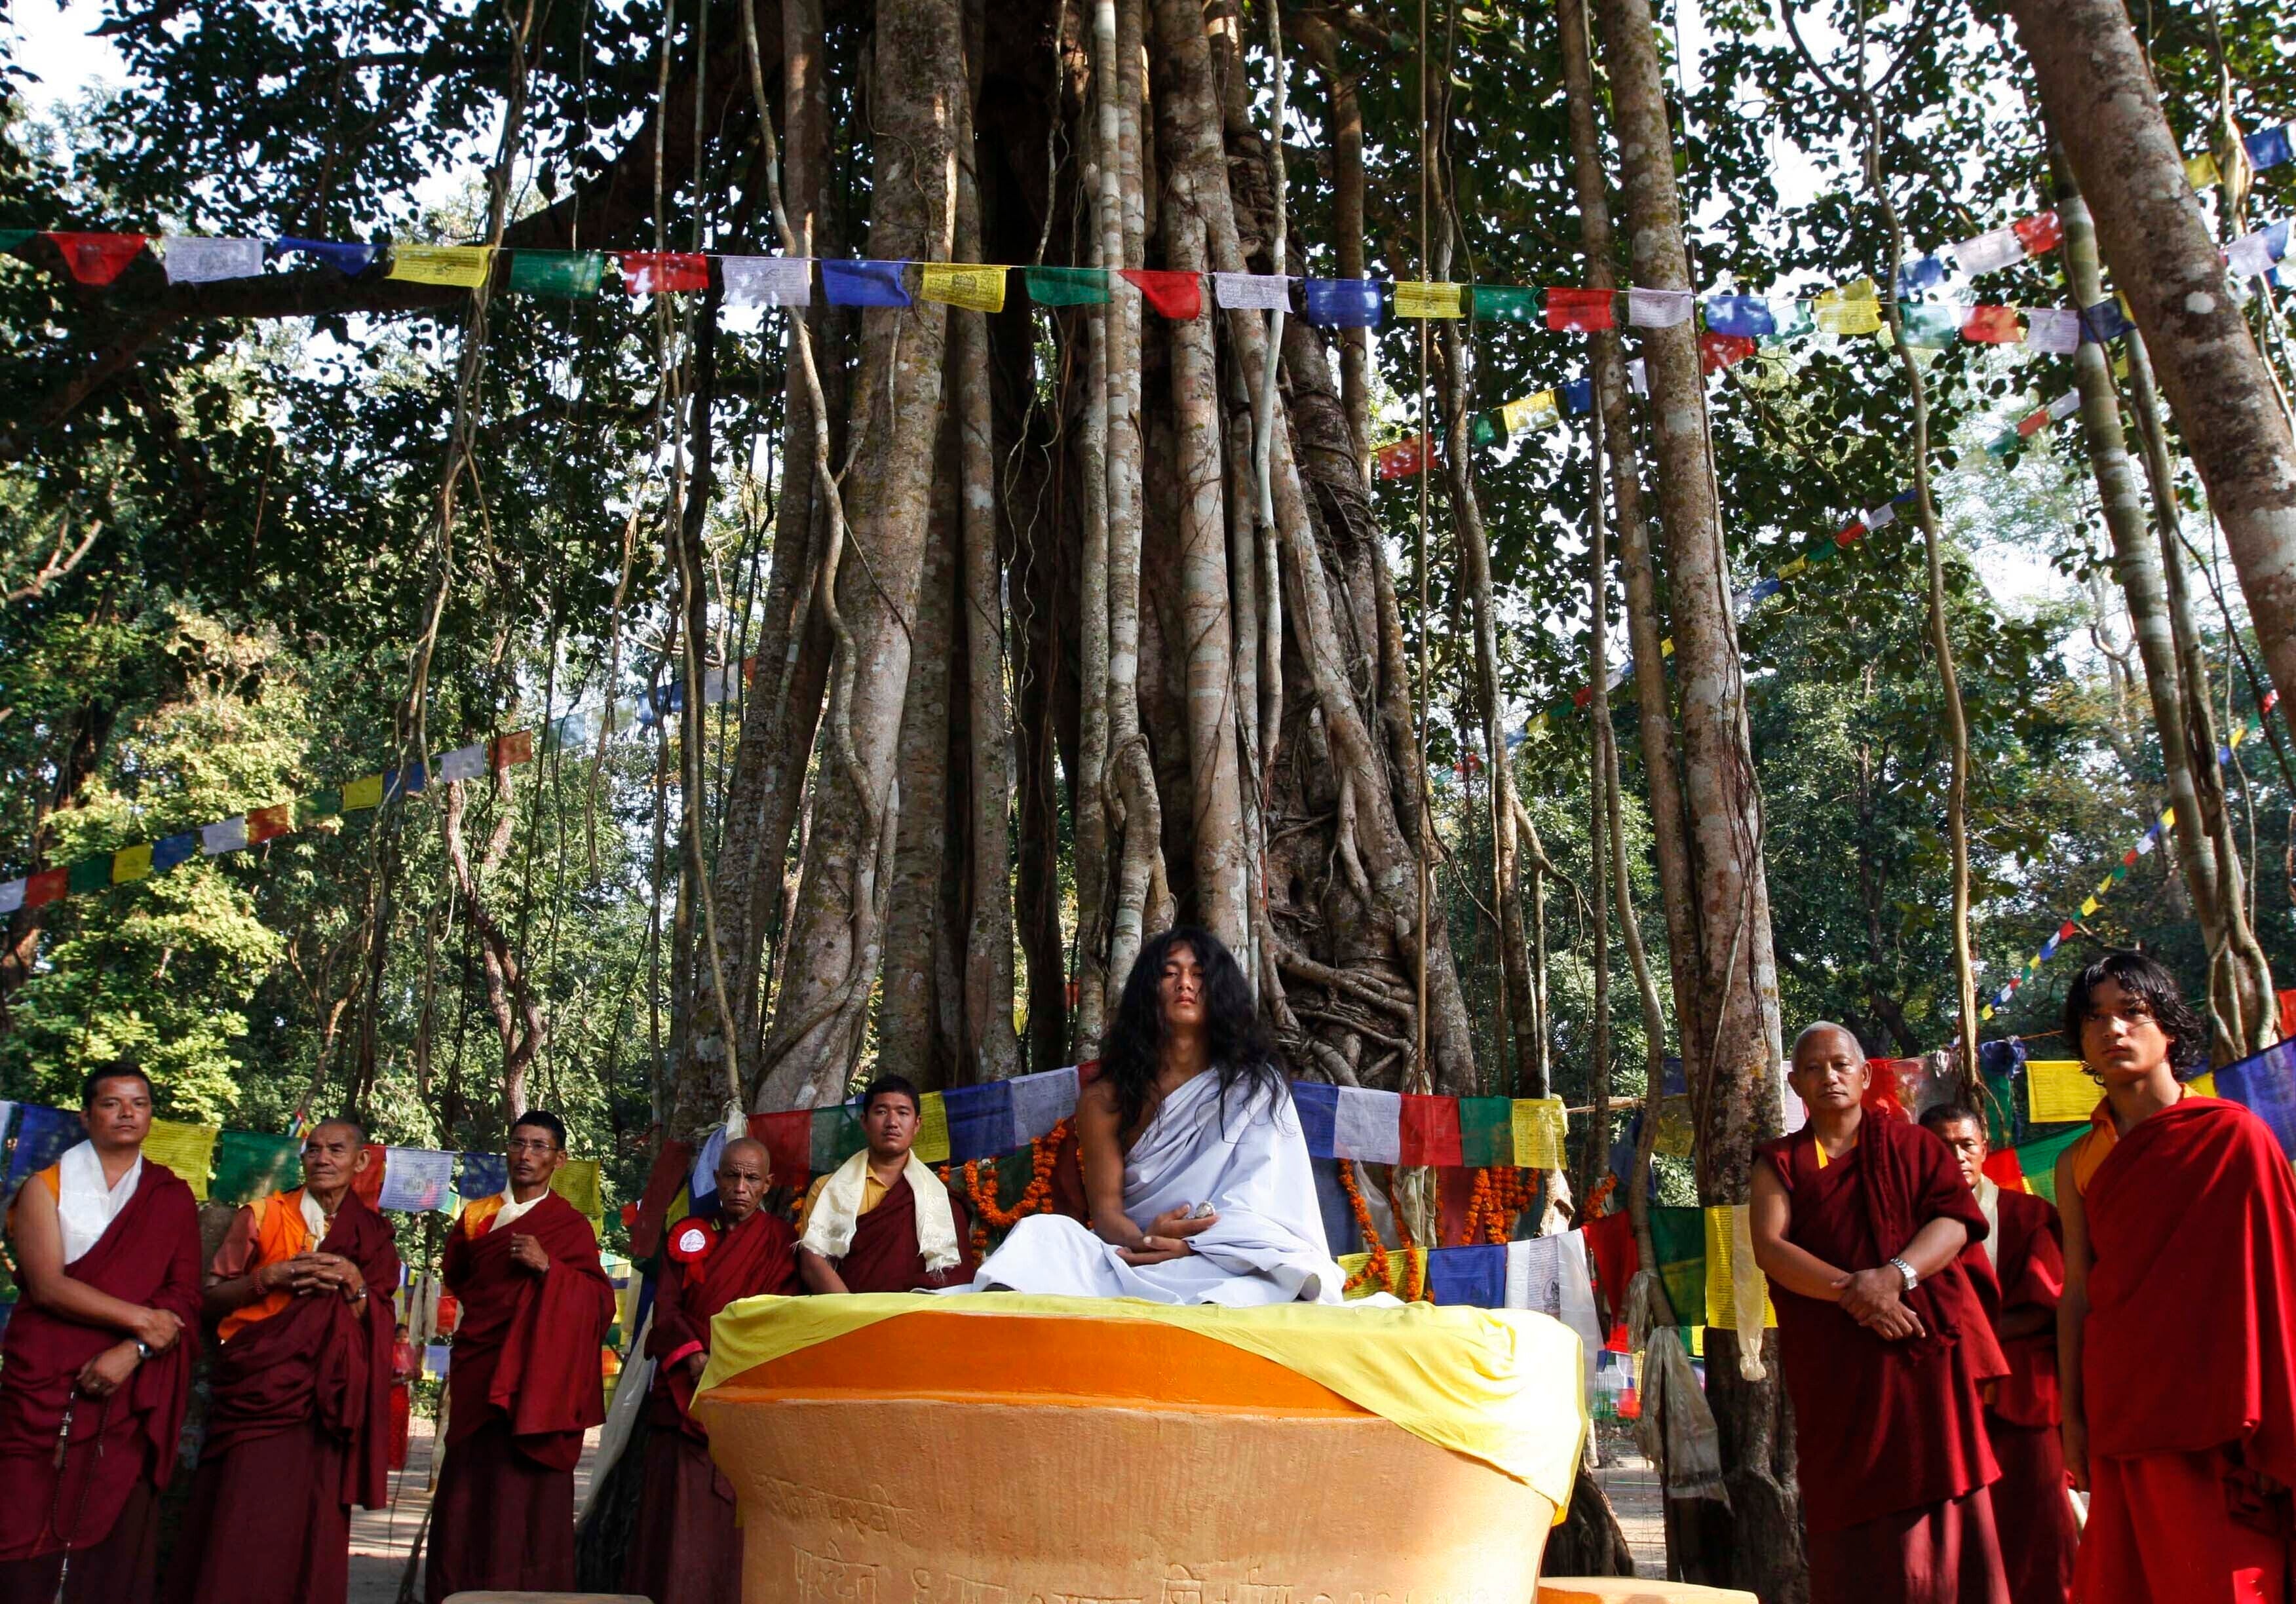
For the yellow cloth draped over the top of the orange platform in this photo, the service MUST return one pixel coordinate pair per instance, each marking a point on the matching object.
(1496, 1385)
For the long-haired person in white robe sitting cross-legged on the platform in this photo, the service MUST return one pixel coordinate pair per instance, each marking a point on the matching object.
(1195, 1165)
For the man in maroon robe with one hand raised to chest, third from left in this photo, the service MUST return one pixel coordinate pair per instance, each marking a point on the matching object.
(525, 1378)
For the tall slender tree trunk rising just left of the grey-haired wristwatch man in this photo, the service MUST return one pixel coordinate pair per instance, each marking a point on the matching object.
(1758, 1541)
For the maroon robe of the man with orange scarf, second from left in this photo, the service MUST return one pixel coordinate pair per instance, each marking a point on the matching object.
(297, 1433)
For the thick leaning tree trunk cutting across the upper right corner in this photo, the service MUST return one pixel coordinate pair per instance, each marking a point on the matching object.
(2102, 104)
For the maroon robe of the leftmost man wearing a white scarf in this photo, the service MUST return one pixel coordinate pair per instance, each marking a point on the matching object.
(102, 1506)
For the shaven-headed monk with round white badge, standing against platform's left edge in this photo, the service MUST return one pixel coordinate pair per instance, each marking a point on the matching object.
(685, 1548)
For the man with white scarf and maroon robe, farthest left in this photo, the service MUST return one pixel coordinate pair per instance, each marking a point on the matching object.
(98, 1357)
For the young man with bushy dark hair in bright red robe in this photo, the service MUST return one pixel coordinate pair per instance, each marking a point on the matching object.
(2180, 1298)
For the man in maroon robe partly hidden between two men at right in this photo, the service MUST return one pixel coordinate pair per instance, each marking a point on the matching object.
(2031, 1506)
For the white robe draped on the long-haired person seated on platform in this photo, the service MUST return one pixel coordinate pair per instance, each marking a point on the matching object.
(1248, 1160)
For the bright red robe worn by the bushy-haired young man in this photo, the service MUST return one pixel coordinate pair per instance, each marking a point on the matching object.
(2189, 1373)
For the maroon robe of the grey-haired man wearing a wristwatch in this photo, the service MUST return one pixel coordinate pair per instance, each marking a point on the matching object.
(1891, 1435)
